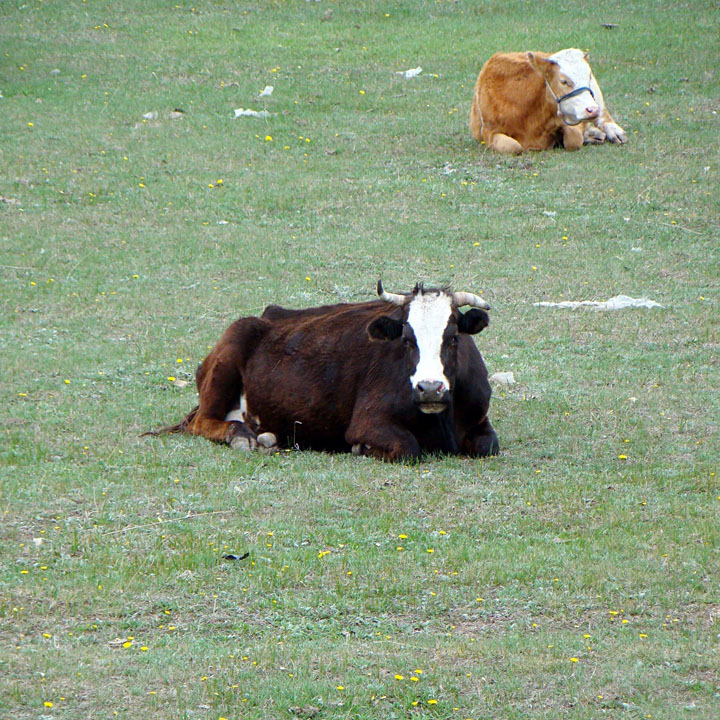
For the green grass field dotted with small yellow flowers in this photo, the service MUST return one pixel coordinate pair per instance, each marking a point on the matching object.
(574, 576)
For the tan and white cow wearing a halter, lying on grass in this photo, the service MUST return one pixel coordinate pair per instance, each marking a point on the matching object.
(535, 101)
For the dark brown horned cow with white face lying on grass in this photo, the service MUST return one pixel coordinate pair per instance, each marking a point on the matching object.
(391, 378)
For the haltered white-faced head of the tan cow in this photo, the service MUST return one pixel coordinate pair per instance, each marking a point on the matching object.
(567, 75)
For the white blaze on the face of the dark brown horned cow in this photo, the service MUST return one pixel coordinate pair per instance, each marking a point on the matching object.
(428, 317)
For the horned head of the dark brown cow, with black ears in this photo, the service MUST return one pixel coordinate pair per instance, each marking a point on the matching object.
(428, 327)
